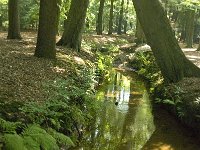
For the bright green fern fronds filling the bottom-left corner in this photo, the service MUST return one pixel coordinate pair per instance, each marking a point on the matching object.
(33, 137)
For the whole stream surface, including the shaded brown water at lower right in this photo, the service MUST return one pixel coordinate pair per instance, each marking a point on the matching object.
(127, 120)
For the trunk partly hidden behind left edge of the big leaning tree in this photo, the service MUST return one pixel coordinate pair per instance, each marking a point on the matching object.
(140, 37)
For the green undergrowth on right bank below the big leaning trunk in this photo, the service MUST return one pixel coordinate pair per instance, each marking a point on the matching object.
(173, 97)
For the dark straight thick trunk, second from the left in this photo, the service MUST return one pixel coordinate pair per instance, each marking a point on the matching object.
(48, 27)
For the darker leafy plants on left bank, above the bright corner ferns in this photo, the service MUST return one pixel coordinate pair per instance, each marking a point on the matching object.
(70, 106)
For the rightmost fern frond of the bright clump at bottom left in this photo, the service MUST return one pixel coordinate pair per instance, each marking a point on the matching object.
(61, 138)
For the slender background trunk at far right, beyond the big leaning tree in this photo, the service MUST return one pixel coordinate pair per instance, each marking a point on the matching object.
(190, 27)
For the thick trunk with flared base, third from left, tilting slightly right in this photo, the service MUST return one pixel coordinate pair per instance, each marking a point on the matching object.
(72, 35)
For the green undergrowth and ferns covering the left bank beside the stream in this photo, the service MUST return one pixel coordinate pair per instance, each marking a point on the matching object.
(55, 122)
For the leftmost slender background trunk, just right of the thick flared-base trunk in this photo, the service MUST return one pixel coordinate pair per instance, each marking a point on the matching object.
(100, 18)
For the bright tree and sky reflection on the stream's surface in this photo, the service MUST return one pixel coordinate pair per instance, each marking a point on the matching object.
(125, 121)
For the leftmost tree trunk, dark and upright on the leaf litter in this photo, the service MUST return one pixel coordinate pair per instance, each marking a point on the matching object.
(13, 20)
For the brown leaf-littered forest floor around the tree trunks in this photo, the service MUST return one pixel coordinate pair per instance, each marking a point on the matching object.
(22, 75)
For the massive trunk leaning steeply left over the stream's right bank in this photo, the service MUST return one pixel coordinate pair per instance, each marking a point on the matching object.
(158, 32)
